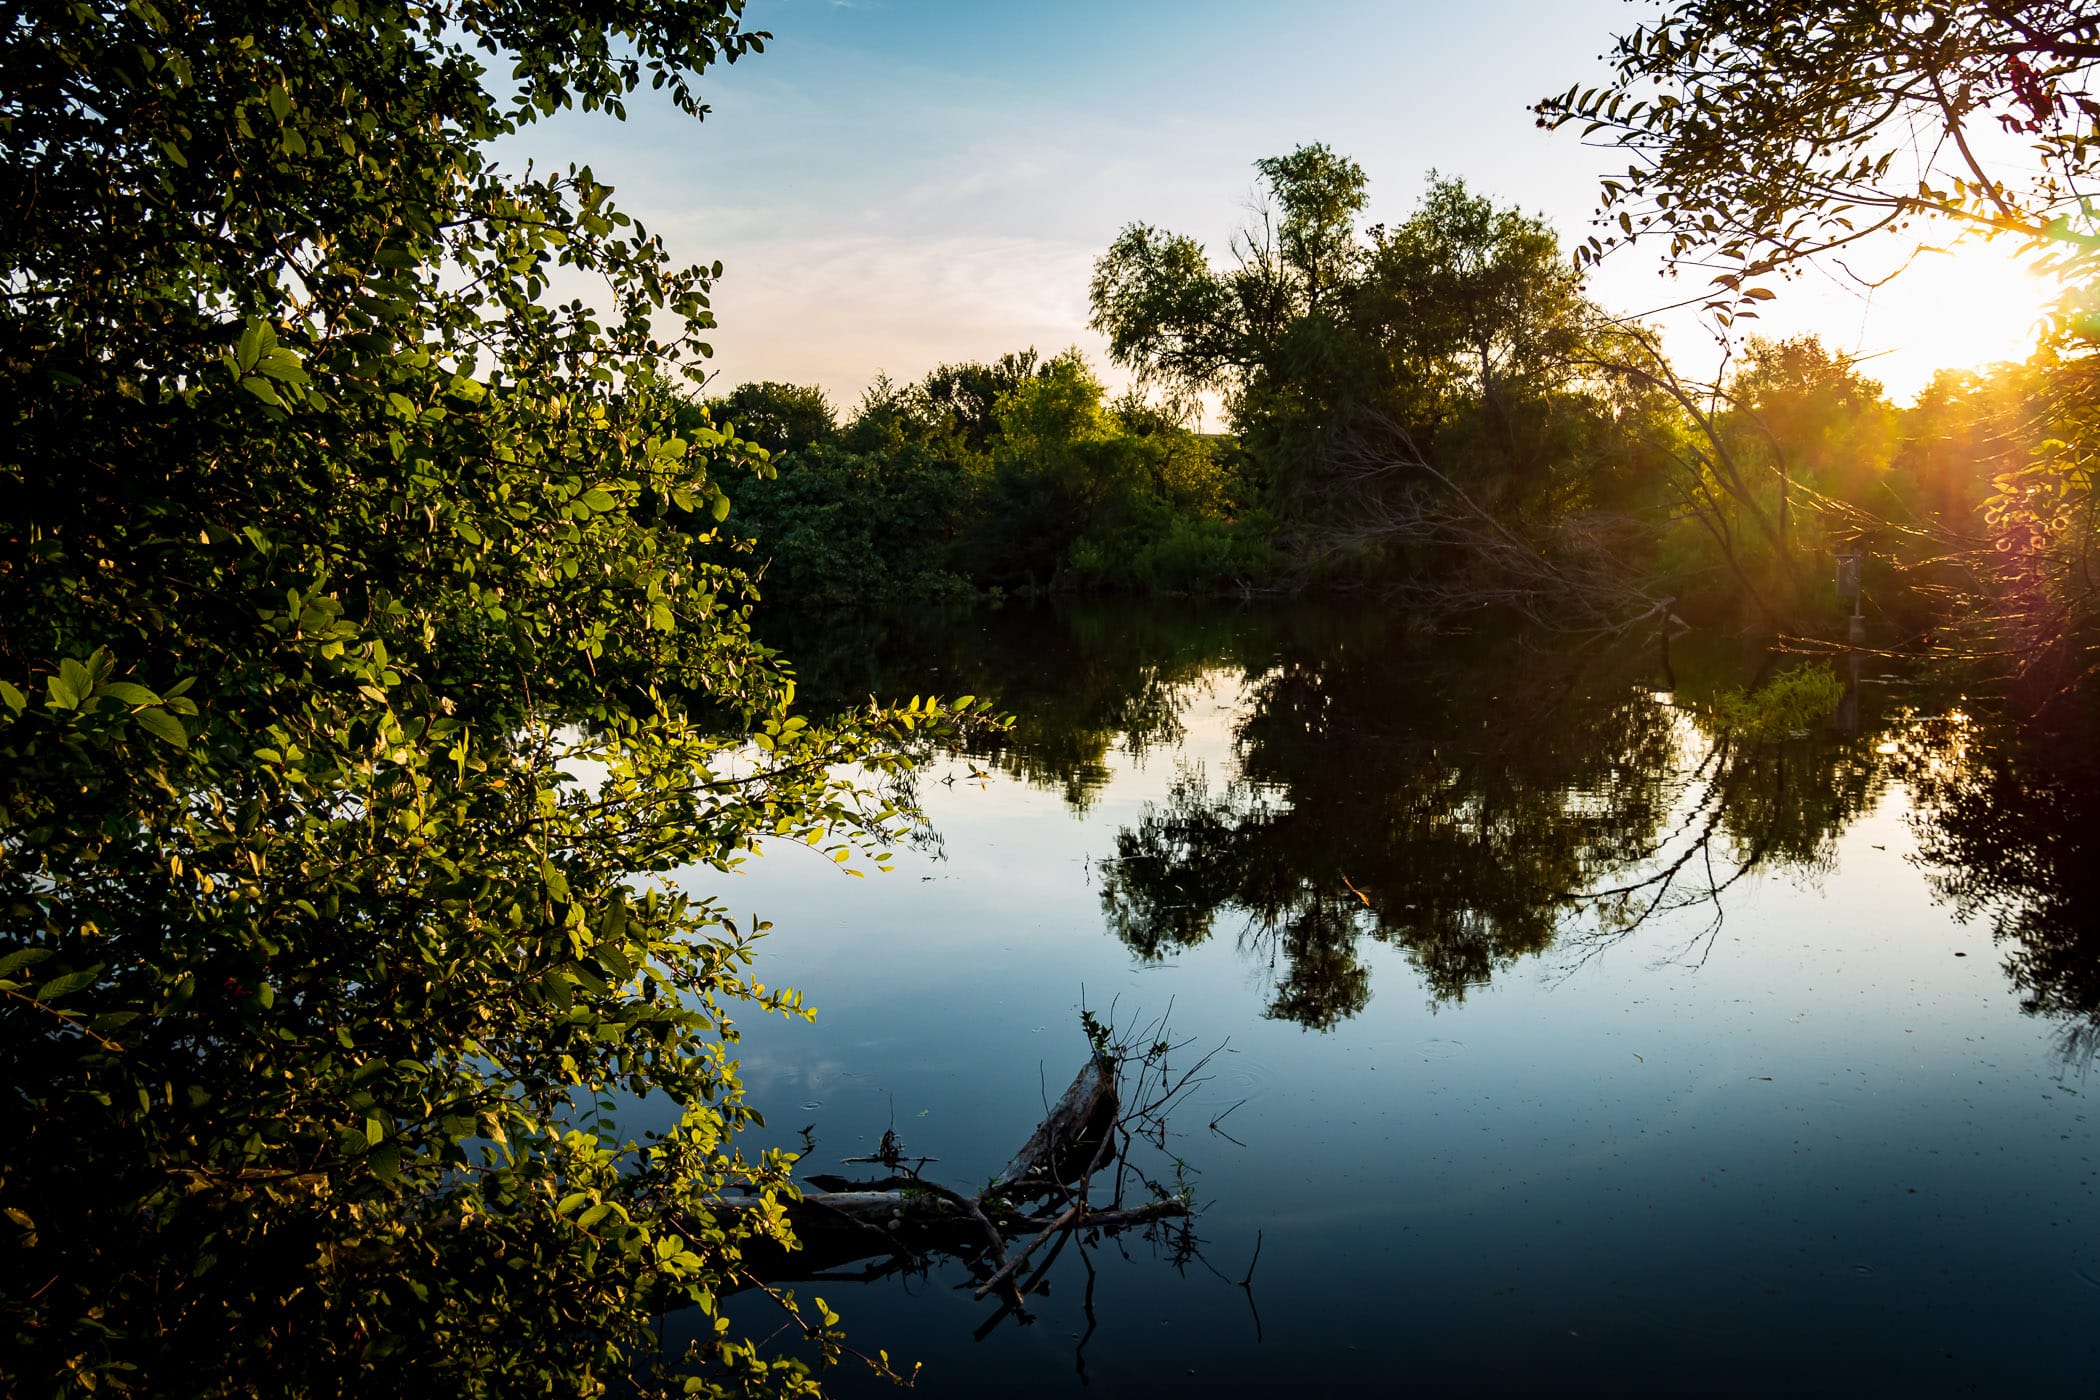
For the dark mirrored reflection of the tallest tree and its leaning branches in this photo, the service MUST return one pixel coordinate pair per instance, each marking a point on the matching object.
(1469, 803)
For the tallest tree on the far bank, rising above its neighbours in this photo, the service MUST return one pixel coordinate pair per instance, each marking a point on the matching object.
(1414, 404)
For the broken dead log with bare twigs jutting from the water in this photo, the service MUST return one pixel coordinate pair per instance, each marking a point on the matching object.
(1047, 1193)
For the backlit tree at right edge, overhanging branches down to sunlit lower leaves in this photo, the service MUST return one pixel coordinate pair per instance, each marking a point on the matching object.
(1765, 135)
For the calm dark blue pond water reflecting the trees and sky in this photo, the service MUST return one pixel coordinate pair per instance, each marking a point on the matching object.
(1568, 1046)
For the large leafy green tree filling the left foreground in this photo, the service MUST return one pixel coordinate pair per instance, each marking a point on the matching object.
(362, 687)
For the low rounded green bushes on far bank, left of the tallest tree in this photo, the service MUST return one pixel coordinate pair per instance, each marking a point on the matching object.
(1015, 473)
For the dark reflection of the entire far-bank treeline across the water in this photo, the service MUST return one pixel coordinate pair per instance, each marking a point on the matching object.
(1475, 801)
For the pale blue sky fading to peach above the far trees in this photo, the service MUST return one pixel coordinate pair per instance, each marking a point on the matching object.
(902, 184)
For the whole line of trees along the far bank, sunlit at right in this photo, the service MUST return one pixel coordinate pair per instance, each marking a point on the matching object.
(1435, 410)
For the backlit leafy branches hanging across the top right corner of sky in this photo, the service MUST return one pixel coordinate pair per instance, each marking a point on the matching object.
(1767, 133)
